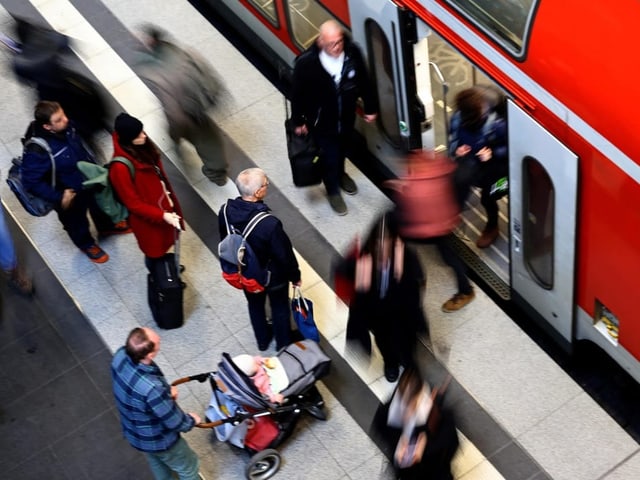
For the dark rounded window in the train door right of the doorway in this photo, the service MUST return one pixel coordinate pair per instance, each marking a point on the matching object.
(539, 204)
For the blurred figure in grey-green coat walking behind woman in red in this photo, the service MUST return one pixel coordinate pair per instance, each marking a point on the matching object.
(187, 87)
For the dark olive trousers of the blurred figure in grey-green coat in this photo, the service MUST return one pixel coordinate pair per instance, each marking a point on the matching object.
(205, 137)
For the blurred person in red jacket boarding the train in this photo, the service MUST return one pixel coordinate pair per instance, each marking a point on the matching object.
(427, 212)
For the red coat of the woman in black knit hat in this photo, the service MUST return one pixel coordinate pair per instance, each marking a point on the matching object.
(146, 201)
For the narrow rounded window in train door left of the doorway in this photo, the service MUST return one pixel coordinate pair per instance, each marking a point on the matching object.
(382, 73)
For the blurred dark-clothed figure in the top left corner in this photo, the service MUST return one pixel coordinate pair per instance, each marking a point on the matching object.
(43, 59)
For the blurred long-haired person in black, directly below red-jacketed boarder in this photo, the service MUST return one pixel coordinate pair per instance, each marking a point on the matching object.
(388, 286)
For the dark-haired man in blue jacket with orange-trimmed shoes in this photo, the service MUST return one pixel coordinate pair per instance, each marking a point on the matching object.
(70, 200)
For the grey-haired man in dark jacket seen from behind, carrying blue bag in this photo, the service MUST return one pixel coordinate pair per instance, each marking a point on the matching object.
(273, 249)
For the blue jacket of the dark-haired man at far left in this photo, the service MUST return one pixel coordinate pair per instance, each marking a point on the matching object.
(68, 149)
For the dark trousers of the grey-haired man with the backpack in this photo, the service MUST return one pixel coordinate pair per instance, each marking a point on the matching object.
(280, 315)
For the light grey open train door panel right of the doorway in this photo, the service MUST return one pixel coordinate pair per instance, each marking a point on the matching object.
(543, 180)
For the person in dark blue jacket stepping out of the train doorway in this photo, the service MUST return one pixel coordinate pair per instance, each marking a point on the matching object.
(478, 143)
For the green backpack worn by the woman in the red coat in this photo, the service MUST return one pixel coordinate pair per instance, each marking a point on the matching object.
(97, 179)
